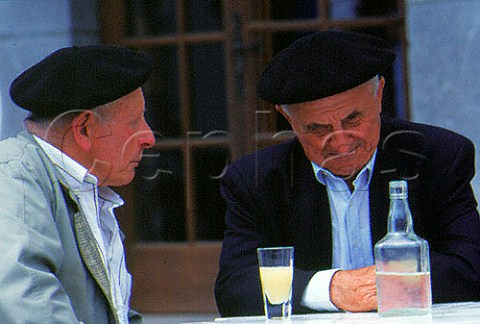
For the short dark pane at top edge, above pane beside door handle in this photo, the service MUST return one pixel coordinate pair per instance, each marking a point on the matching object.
(203, 15)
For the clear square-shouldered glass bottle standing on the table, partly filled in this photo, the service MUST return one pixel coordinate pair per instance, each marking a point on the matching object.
(402, 262)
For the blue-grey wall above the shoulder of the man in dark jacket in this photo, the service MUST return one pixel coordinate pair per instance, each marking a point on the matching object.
(444, 63)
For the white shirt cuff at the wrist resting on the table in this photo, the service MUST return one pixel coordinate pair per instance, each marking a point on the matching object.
(317, 293)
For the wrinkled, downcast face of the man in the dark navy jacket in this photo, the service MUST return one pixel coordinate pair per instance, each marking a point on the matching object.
(340, 132)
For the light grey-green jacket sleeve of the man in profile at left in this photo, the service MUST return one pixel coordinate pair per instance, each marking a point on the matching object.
(31, 250)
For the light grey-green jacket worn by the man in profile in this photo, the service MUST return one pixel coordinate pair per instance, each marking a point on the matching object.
(50, 268)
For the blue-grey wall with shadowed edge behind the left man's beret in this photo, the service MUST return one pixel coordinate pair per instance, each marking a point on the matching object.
(29, 31)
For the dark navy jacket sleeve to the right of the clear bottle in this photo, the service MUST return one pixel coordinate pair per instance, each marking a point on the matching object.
(455, 242)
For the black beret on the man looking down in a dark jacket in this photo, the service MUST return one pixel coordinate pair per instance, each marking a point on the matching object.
(323, 64)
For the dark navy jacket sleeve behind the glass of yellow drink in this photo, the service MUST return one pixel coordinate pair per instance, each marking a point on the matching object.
(250, 223)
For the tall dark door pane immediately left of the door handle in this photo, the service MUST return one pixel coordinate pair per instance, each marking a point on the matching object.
(207, 86)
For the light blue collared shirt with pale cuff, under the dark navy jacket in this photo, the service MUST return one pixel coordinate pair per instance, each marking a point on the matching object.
(351, 237)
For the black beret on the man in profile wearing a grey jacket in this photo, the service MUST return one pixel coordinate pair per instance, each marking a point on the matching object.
(80, 77)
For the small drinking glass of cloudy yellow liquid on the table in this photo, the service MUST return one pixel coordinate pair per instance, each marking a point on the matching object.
(276, 275)
